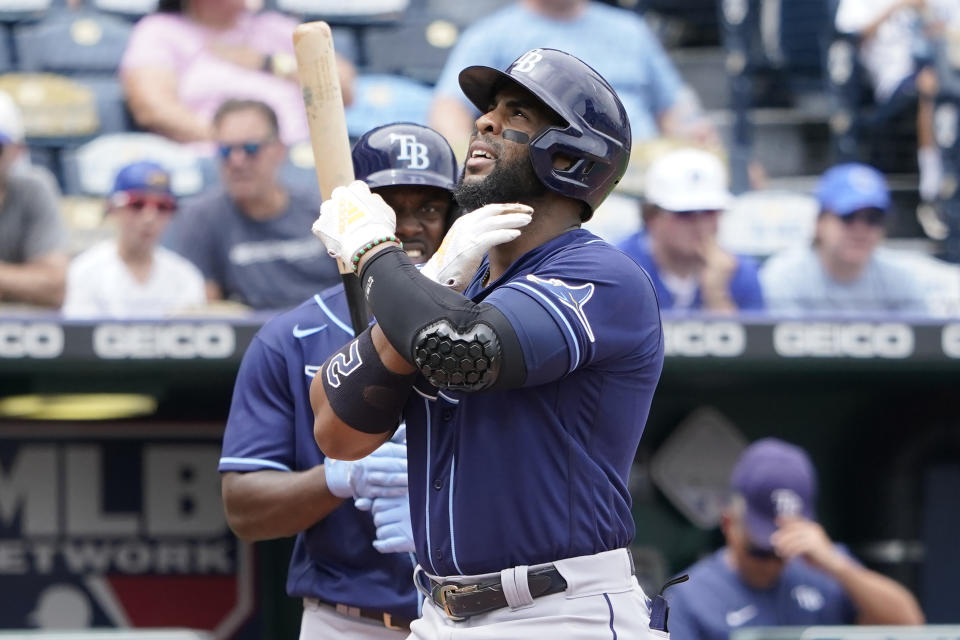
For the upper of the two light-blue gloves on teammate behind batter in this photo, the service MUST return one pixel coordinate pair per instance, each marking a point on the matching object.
(381, 474)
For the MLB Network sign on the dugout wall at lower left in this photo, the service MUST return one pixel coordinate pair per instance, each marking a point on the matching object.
(117, 532)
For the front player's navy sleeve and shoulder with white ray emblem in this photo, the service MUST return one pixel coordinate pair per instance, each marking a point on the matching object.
(585, 306)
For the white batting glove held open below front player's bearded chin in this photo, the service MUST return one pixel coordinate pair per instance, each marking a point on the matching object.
(470, 238)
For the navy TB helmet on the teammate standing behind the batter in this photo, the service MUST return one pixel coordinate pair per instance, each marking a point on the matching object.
(404, 154)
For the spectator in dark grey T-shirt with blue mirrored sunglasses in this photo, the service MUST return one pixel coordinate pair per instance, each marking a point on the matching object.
(251, 238)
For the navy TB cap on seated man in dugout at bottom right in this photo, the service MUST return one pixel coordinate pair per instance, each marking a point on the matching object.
(775, 478)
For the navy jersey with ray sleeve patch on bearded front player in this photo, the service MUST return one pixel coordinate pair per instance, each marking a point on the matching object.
(531, 475)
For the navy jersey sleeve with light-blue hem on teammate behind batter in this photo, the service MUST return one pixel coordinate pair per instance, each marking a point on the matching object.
(260, 427)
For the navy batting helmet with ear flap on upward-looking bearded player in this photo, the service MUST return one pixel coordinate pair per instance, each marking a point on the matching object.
(595, 131)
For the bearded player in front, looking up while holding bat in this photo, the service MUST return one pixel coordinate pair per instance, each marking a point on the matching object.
(530, 391)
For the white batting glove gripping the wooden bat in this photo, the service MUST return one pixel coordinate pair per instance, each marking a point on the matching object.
(351, 219)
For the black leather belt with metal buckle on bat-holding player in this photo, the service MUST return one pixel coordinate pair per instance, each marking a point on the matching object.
(460, 601)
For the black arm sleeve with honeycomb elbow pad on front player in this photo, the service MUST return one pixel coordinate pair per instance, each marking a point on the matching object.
(454, 342)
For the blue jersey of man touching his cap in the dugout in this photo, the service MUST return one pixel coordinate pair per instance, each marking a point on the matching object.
(716, 601)
